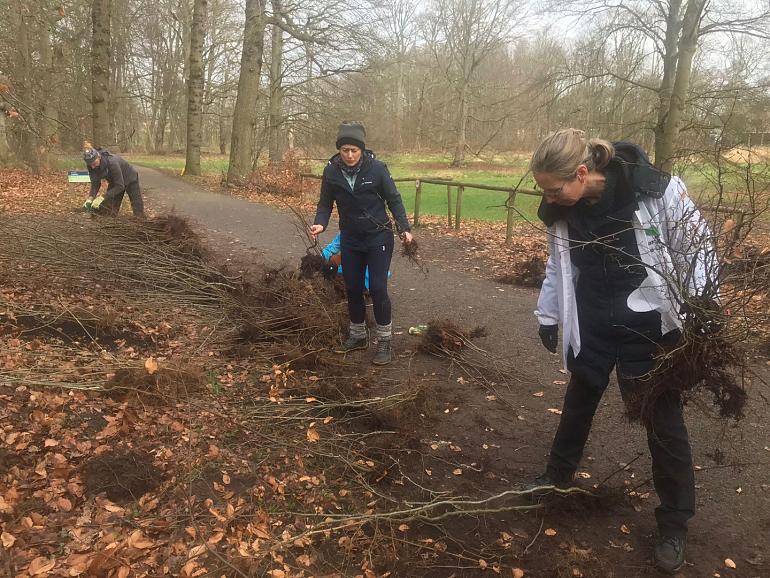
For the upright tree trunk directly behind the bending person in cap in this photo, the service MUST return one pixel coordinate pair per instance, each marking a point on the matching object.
(100, 71)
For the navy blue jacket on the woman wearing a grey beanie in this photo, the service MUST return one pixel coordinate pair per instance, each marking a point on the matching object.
(363, 217)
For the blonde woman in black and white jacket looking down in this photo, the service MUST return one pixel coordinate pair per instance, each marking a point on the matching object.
(627, 249)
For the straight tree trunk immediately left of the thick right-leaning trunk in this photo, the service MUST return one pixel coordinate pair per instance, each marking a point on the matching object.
(195, 90)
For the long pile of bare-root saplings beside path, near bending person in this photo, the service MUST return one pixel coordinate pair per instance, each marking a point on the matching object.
(276, 316)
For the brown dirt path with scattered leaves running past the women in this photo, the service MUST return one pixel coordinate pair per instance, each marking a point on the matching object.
(503, 435)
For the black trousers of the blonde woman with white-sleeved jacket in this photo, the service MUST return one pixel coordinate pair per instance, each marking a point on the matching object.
(672, 470)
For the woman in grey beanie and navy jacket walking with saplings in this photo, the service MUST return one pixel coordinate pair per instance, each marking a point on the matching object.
(361, 186)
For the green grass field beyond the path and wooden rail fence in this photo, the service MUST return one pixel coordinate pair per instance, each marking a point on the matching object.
(501, 171)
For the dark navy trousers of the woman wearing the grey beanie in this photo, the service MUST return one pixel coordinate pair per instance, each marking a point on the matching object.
(355, 260)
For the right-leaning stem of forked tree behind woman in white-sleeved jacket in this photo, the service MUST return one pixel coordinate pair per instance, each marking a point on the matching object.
(688, 43)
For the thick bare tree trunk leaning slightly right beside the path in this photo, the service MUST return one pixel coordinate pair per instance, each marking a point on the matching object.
(242, 143)
